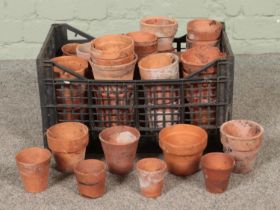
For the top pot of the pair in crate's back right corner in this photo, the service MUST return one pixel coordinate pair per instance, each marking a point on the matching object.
(204, 29)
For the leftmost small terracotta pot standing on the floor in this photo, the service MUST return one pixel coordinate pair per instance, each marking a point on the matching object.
(33, 165)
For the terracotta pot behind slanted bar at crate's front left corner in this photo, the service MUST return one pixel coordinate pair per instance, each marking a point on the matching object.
(75, 63)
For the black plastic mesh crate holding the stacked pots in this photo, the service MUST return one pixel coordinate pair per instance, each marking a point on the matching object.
(146, 105)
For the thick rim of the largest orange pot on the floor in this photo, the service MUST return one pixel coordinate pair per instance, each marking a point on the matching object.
(203, 140)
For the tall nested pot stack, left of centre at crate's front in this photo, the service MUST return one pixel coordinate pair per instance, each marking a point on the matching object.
(113, 58)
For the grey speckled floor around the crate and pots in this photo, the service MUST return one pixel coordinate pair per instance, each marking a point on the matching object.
(256, 97)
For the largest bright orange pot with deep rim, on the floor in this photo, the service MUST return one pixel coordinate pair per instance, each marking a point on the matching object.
(182, 146)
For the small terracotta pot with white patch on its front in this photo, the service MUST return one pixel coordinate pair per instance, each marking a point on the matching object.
(151, 172)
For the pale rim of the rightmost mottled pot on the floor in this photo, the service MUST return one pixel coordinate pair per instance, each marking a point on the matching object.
(235, 138)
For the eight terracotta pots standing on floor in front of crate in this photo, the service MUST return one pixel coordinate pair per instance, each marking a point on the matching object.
(182, 146)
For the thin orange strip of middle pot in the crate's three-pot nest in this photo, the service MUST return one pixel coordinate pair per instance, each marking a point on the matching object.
(113, 62)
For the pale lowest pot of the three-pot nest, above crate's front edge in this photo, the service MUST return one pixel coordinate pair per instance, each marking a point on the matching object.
(118, 72)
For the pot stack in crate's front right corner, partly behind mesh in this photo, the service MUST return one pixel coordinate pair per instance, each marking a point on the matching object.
(201, 92)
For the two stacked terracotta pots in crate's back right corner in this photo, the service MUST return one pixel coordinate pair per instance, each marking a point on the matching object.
(203, 32)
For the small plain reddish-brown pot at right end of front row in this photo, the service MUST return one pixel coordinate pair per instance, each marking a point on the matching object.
(217, 167)
